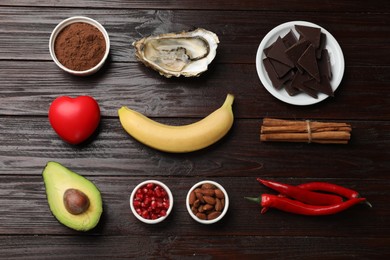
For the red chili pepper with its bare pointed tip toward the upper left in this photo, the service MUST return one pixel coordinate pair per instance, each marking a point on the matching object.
(305, 196)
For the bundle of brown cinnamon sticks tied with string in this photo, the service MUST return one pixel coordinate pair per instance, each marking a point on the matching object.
(280, 130)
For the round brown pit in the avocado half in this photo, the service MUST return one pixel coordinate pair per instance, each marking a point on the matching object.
(76, 202)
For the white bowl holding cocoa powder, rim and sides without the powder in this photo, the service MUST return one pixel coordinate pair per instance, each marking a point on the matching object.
(67, 22)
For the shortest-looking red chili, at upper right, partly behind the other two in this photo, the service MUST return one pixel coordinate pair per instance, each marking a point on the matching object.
(330, 187)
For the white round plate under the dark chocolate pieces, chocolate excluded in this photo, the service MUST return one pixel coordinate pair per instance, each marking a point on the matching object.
(336, 61)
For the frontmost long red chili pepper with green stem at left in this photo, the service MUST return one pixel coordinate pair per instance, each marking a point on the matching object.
(293, 206)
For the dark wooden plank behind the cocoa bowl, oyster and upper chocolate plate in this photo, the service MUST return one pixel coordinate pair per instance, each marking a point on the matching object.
(240, 33)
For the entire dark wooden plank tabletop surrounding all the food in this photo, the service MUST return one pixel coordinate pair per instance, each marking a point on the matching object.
(116, 163)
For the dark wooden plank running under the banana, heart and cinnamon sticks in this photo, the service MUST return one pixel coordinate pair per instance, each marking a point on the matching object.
(27, 144)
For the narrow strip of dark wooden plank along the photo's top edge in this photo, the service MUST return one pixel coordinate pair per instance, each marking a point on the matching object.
(289, 5)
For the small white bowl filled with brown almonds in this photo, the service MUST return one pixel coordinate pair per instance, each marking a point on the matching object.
(207, 202)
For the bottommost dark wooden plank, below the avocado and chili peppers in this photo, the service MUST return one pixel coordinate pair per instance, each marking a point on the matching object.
(175, 247)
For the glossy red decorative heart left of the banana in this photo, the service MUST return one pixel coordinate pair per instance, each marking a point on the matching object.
(74, 119)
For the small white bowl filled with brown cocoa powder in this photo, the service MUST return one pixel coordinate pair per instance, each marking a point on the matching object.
(79, 45)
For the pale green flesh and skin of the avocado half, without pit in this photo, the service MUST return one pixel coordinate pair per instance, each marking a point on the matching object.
(58, 179)
